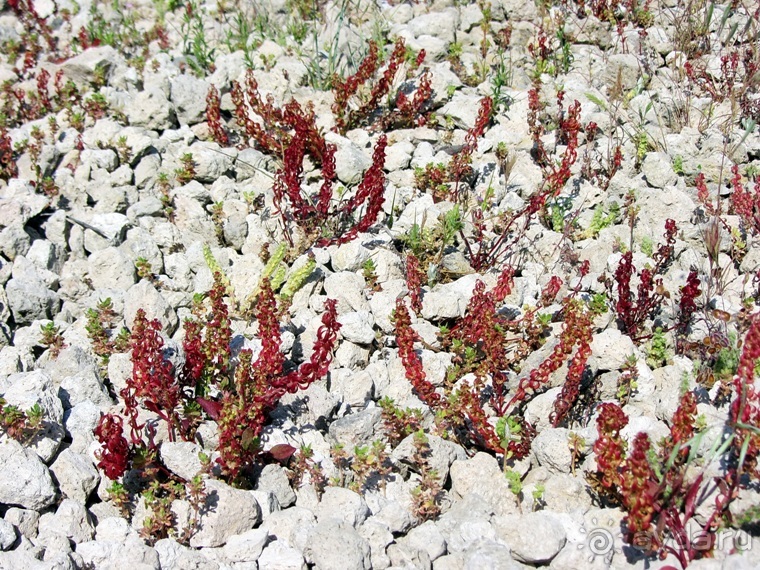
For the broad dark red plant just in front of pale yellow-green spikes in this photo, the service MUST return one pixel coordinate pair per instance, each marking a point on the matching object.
(247, 392)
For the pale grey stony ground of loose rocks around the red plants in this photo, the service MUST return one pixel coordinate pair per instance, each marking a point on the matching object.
(99, 200)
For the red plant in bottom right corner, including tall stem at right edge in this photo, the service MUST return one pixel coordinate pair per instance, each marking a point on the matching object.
(661, 489)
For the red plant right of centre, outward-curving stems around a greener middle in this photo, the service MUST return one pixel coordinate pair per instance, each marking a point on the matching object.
(472, 403)
